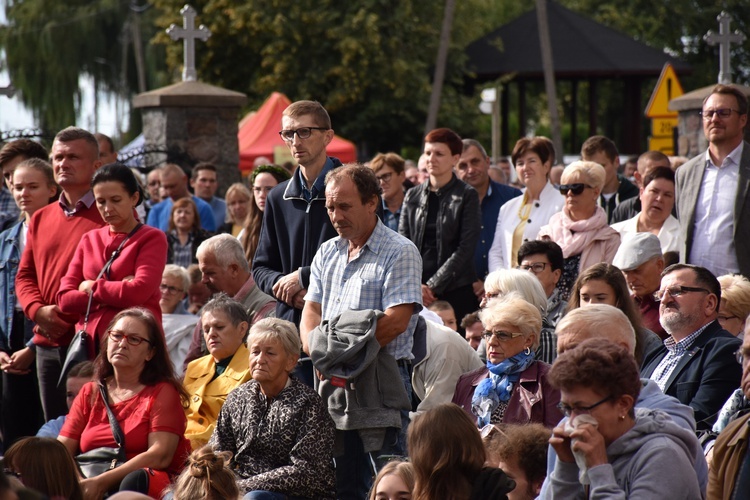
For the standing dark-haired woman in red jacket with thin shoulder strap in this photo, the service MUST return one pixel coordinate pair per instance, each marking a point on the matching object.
(134, 277)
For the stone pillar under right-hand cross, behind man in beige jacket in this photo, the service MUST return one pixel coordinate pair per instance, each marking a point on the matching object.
(690, 138)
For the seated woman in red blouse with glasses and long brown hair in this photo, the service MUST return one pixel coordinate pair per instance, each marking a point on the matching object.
(146, 399)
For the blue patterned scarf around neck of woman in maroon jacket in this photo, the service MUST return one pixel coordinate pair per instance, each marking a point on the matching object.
(498, 386)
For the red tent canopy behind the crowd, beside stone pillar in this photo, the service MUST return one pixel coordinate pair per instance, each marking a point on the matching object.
(259, 136)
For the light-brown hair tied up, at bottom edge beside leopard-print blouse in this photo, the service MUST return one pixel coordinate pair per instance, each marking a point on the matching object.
(207, 476)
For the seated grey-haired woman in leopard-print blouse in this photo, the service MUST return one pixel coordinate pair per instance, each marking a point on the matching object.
(277, 428)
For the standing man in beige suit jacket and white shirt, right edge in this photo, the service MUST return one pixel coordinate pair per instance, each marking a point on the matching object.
(713, 189)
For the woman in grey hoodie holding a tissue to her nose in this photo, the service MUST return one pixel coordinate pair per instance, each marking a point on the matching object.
(604, 443)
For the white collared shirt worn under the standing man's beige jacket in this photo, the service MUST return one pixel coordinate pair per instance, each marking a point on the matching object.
(713, 233)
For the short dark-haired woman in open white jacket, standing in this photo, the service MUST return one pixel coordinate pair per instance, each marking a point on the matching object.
(521, 218)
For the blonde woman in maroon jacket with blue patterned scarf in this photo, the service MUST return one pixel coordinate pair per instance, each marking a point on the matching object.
(513, 387)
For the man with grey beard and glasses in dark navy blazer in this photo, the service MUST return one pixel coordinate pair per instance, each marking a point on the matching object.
(696, 364)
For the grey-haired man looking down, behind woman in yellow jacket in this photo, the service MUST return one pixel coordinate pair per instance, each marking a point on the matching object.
(225, 269)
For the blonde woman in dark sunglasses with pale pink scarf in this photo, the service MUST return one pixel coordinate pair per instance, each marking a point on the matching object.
(581, 227)
